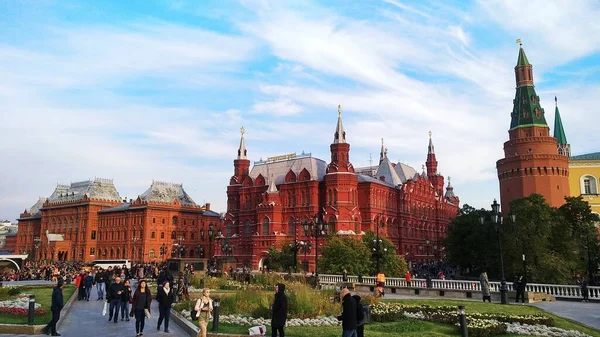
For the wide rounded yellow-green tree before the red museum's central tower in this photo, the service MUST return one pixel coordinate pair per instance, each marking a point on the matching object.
(344, 252)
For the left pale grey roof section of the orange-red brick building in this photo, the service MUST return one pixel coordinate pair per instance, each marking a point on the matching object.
(99, 189)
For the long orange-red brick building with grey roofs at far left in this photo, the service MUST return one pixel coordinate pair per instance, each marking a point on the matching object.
(88, 221)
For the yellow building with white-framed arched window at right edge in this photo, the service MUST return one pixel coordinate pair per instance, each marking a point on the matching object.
(584, 176)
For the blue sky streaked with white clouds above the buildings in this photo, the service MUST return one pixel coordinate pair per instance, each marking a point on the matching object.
(142, 90)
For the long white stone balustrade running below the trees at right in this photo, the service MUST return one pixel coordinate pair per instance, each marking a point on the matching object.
(560, 291)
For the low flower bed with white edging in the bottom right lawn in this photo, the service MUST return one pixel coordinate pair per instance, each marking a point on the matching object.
(479, 325)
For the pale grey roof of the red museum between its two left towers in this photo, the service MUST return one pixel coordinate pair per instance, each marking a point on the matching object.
(278, 169)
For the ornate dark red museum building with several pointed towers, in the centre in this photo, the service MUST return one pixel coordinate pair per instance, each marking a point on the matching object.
(268, 205)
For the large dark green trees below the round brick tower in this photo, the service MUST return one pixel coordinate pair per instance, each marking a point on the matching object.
(553, 241)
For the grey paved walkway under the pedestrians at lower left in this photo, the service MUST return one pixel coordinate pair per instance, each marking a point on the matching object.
(85, 319)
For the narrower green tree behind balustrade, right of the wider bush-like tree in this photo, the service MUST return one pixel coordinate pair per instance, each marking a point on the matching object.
(391, 264)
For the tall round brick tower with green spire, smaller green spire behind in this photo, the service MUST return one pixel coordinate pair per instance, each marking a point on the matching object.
(534, 161)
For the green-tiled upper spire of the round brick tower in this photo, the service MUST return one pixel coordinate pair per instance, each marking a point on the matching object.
(526, 105)
